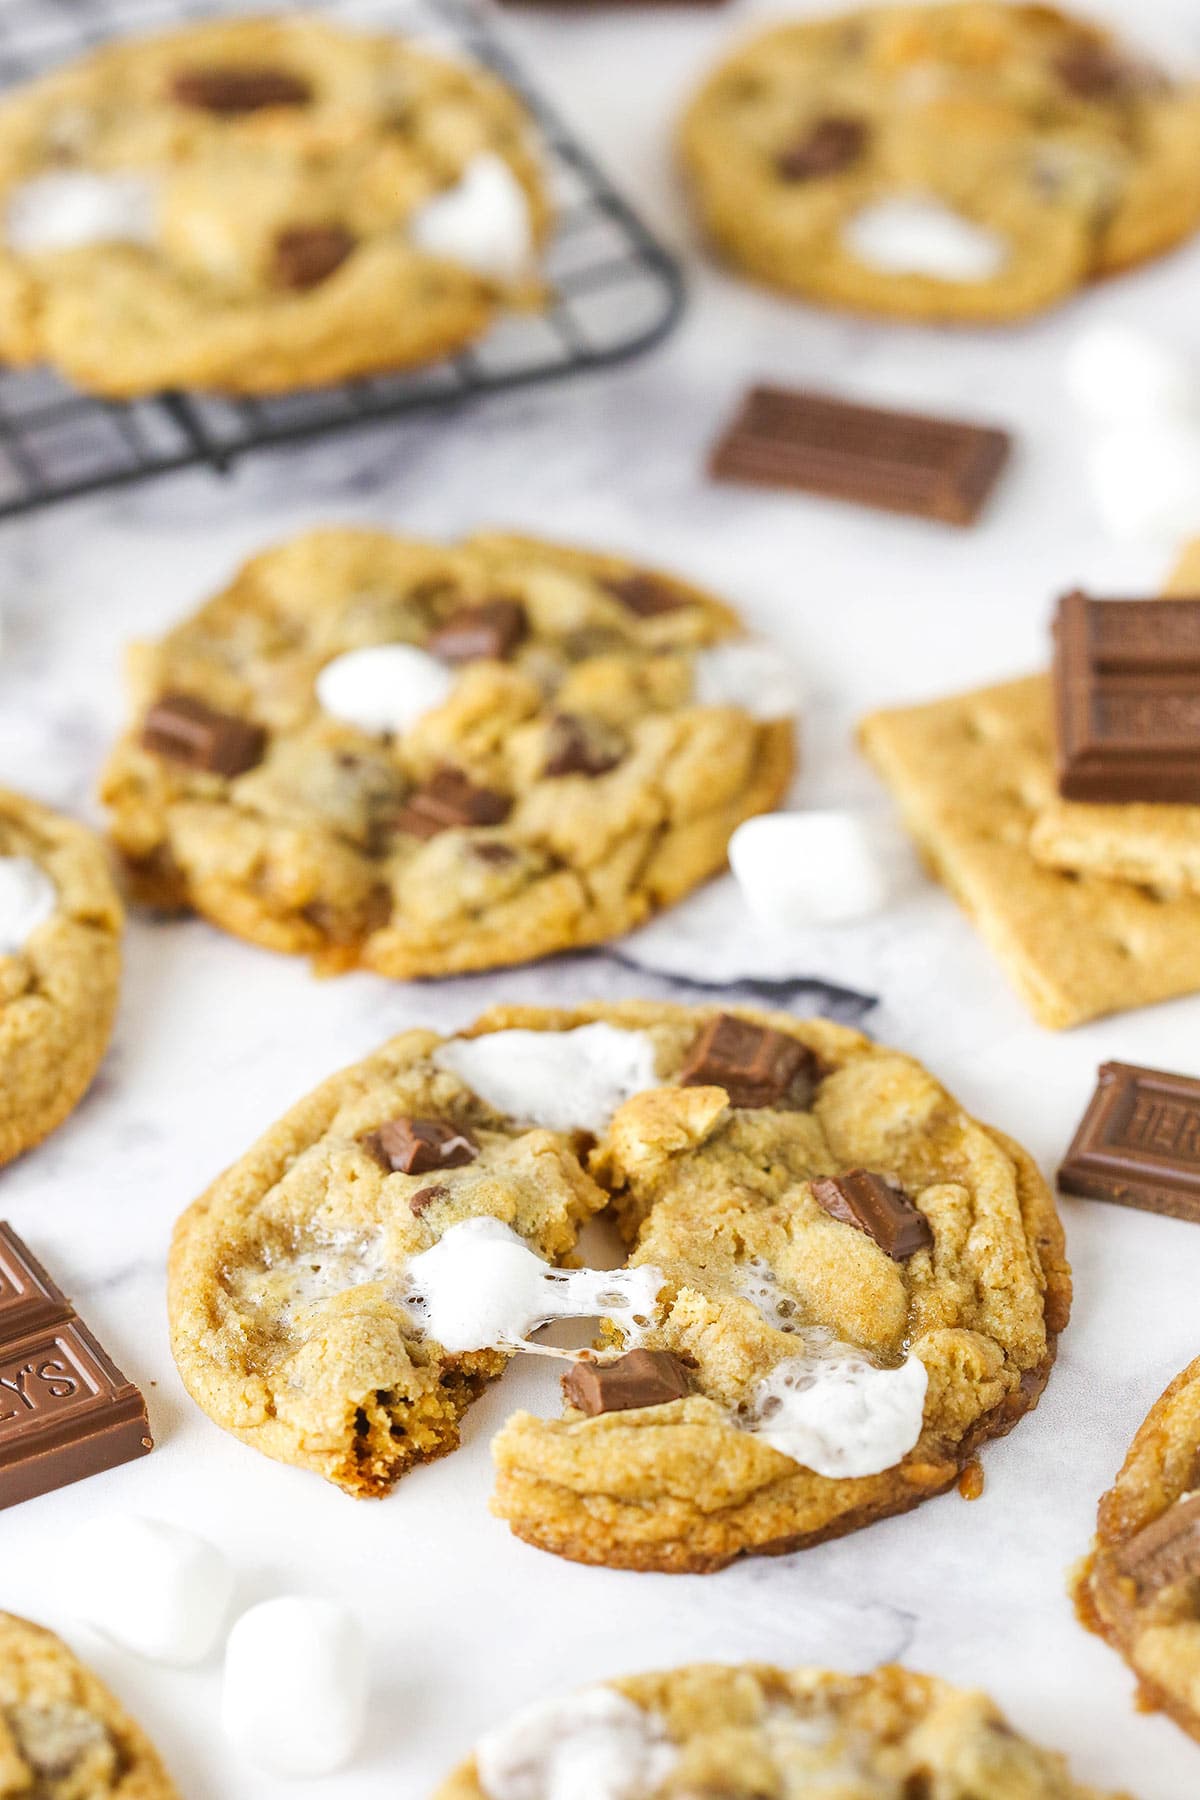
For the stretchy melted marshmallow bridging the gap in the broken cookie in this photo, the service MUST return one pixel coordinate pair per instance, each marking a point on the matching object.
(481, 1288)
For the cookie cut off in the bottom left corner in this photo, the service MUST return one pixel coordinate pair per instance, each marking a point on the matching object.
(62, 1734)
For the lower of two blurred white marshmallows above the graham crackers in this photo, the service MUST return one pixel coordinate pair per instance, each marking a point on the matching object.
(1147, 480)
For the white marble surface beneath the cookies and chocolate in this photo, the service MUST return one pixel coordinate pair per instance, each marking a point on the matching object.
(217, 1039)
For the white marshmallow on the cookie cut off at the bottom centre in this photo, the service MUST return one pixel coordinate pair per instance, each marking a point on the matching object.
(587, 1747)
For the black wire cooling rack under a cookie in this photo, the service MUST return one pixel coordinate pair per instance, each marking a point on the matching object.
(614, 291)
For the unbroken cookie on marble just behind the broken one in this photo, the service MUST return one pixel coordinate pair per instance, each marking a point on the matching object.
(569, 768)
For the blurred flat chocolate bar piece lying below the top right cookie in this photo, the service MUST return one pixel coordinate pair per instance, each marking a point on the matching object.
(897, 462)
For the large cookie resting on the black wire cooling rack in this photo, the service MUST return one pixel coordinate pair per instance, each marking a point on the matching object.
(235, 208)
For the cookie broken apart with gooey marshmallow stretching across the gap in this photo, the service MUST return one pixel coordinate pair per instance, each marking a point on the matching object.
(839, 1284)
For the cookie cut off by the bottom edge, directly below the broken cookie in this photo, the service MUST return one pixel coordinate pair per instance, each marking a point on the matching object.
(751, 1732)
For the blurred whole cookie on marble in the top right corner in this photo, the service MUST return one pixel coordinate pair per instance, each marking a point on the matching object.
(965, 161)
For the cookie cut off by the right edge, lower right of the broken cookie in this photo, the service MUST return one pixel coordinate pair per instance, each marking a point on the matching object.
(1142, 1583)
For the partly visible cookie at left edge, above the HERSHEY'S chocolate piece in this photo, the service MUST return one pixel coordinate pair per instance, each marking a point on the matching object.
(60, 967)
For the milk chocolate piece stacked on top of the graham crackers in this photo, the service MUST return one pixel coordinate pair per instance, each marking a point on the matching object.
(1127, 699)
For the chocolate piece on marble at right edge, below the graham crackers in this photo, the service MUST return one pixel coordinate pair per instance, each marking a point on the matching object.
(1140, 1142)
